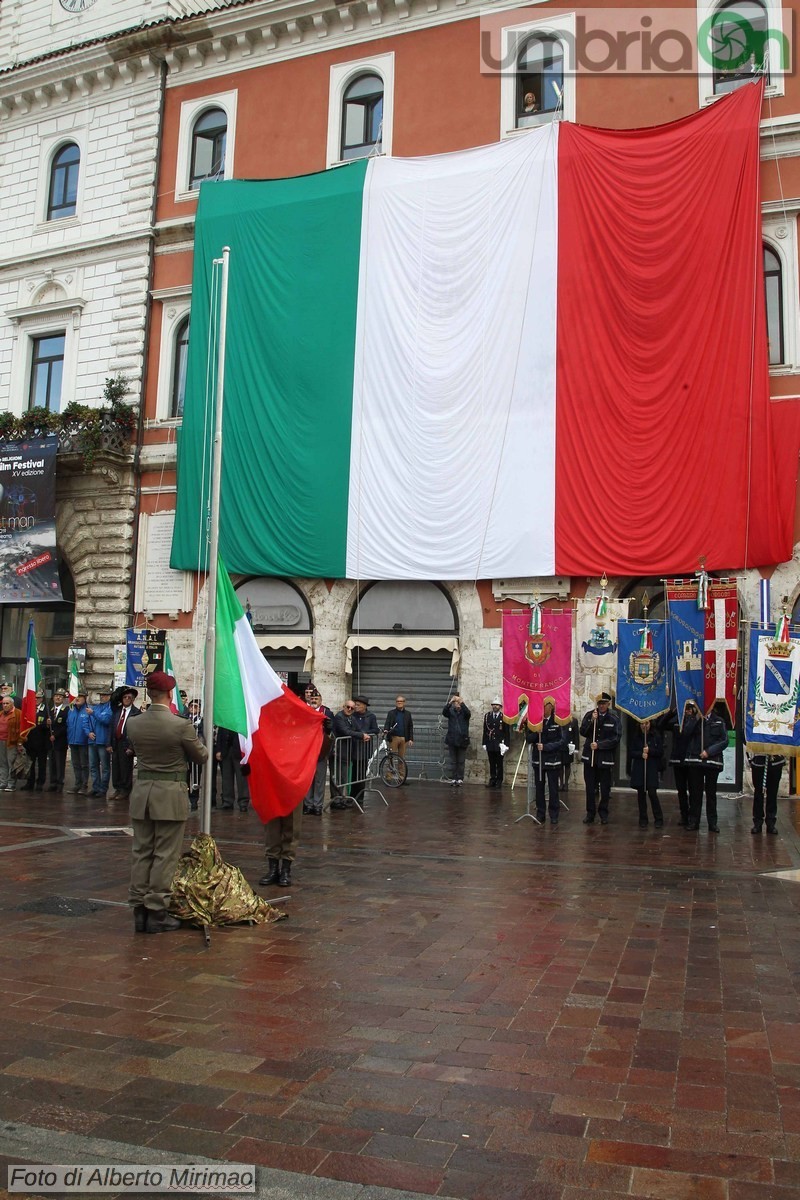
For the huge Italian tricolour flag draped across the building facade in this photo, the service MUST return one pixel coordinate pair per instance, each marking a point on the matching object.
(542, 357)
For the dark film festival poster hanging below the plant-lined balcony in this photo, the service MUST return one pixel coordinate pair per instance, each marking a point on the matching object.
(29, 567)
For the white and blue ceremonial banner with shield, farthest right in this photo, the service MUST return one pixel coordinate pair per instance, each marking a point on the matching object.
(773, 718)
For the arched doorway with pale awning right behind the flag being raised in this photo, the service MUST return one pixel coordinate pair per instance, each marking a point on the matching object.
(282, 625)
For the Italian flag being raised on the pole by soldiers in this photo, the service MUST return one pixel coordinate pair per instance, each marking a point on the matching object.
(281, 737)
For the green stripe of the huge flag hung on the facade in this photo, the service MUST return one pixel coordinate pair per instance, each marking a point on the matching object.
(290, 277)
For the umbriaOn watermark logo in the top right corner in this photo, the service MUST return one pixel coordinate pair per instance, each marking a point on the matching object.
(730, 44)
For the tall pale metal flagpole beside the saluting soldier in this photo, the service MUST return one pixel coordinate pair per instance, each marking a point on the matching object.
(214, 550)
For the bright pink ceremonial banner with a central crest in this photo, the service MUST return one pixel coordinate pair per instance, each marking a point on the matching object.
(537, 665)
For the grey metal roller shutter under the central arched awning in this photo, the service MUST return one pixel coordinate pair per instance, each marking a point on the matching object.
(424, 679)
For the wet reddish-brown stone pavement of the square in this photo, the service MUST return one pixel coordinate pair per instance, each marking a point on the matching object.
(459, 1006)
